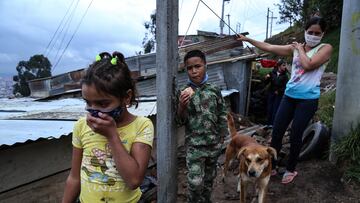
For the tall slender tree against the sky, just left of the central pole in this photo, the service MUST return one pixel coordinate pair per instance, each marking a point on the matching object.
(149, 40)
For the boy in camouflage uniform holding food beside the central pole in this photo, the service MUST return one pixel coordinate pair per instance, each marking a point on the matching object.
(203, 111)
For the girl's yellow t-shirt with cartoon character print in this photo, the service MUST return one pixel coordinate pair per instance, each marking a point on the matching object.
(100, 181)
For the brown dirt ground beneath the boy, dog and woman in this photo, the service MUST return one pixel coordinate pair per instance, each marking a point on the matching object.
(317, 181)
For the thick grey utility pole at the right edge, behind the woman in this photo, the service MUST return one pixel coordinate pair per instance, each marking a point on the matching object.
(347, 103)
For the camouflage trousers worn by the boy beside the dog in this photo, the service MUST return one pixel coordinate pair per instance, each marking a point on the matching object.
(201, 163)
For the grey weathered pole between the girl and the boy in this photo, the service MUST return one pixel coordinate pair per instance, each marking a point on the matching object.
(166, 68)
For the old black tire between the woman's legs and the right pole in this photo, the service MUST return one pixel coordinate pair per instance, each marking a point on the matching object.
(315, 141)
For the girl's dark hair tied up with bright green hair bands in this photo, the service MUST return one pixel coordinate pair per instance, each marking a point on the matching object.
(111, 75)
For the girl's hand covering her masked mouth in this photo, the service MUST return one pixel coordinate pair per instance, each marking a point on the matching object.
(105, 125)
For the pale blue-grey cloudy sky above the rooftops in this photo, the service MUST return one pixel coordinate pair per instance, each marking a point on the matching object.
(27, 27)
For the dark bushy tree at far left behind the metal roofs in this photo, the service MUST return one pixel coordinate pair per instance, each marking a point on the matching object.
(37, 67)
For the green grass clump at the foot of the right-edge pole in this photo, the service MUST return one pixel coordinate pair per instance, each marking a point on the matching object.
(347, 149)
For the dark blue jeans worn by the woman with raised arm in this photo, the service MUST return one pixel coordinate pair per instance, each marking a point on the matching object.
(300, 112)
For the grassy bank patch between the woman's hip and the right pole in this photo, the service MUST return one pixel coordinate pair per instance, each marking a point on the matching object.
(325, 112)
